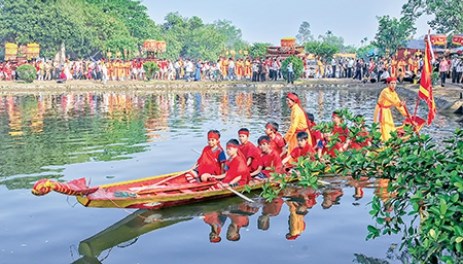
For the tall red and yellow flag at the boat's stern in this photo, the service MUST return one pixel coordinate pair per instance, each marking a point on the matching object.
(425, 91)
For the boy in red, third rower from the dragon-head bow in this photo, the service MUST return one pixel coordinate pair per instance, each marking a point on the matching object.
(251, 153)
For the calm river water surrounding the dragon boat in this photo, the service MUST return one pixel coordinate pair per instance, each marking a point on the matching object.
(117, 136)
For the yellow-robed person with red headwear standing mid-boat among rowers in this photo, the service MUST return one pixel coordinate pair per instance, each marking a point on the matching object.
(298, 122)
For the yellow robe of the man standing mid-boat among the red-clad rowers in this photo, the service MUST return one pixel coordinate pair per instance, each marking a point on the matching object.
(298, 124)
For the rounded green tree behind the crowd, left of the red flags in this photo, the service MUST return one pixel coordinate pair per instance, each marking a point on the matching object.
(392, 32)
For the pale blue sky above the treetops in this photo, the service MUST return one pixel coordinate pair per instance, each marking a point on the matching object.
(271, 20)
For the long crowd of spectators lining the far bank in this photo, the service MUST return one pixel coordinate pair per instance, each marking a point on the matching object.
(255, 70)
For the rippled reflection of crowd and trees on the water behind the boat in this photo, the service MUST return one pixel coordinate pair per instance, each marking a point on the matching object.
(41, 134)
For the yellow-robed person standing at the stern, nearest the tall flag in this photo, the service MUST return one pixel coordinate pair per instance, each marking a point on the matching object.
(383, 115)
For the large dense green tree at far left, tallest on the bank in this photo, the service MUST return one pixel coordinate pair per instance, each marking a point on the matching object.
(86, 26)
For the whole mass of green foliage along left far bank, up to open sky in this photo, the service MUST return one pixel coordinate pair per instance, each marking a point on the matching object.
(93, 27)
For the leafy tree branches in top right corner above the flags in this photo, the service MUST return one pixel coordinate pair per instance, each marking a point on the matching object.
(448, 14)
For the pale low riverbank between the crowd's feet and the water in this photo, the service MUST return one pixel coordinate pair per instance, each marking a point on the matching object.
(448, 98)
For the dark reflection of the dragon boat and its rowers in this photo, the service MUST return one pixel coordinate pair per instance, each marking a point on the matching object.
(231, 215)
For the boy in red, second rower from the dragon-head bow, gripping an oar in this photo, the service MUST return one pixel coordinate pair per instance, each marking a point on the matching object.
(237, 169)
